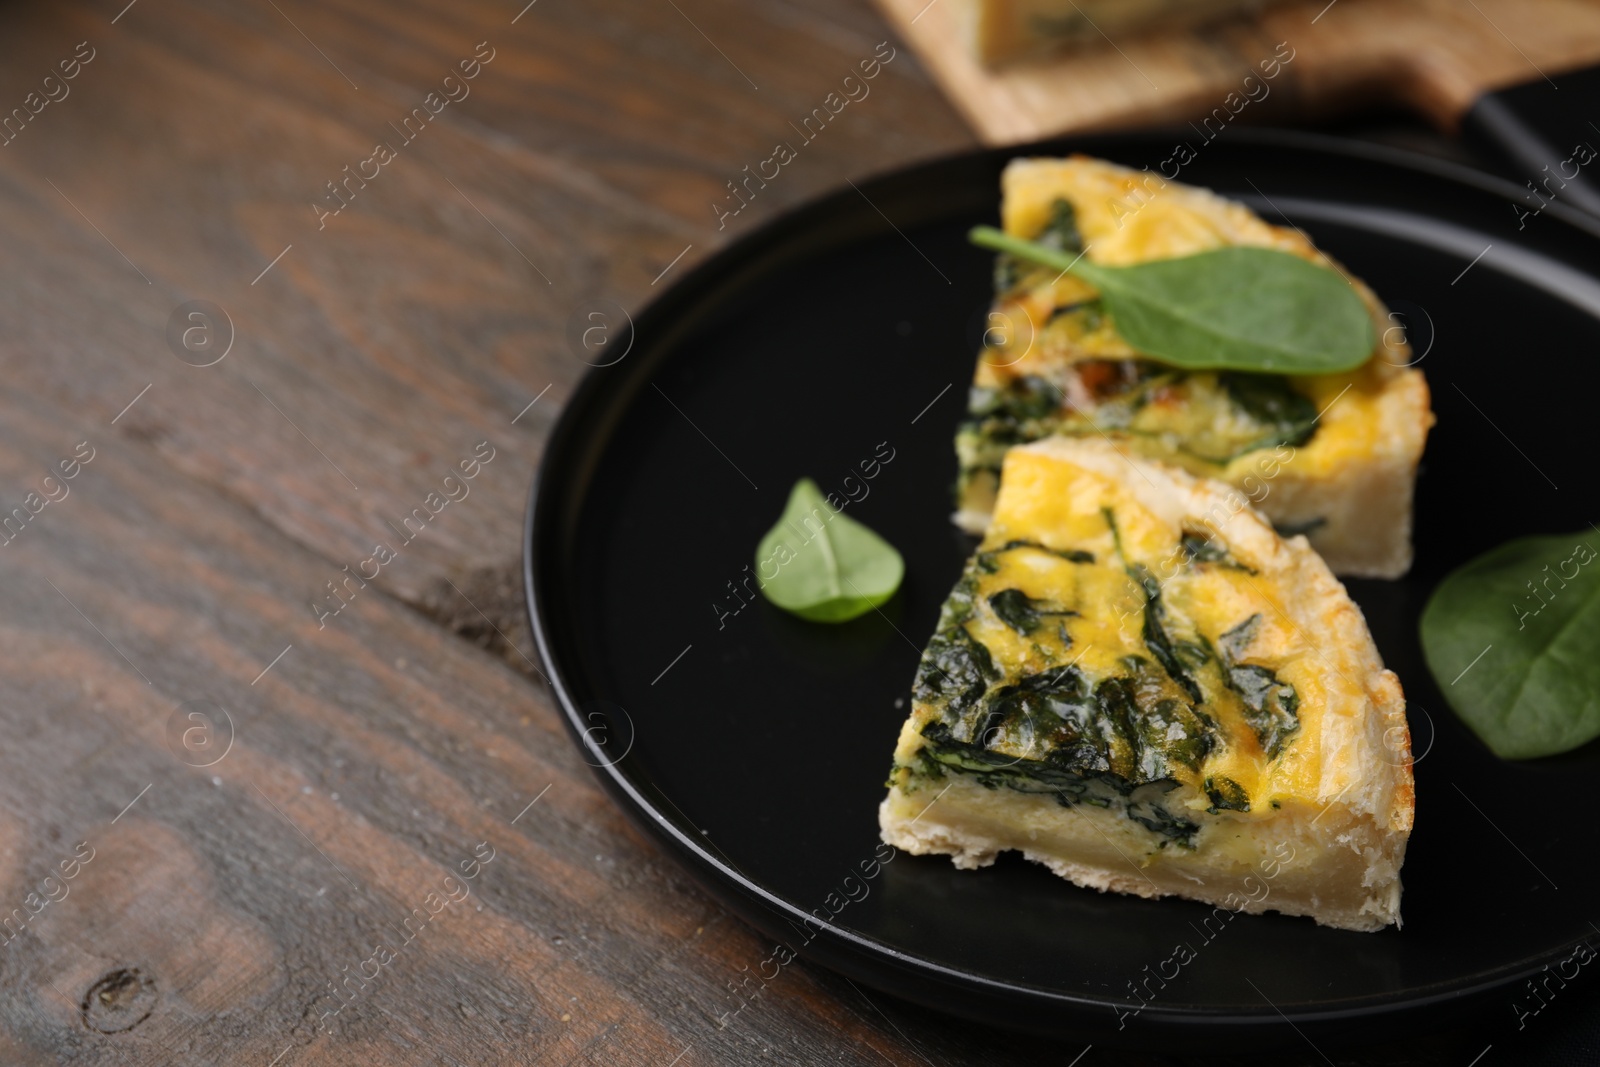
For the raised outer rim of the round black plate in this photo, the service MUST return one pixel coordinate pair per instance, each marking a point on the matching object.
(847, 951)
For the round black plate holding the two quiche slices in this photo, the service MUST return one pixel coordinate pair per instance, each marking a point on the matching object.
(756, 746)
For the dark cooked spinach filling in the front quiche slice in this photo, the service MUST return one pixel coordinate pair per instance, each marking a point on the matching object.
(1116, 743)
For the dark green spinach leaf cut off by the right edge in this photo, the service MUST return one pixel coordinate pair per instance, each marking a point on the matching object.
(1514, 642)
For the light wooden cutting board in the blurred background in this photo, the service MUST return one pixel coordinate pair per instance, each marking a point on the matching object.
(1436, 57)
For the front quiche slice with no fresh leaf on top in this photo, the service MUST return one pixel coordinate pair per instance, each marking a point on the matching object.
(1142, 685)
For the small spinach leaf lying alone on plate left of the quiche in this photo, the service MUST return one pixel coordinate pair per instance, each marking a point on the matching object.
(831, 569)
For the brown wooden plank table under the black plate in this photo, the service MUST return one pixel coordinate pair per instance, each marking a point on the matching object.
(262, 350)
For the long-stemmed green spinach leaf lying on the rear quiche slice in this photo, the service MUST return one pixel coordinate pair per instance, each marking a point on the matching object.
(1239, 308)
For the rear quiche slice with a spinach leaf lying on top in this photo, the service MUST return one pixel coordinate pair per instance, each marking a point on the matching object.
(1332, 457)
